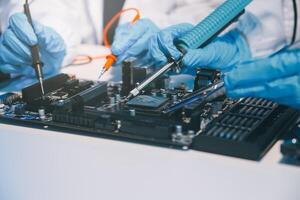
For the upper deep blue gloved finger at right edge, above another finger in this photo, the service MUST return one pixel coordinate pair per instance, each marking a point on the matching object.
(263, 70)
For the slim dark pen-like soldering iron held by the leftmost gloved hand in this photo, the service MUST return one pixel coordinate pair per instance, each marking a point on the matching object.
(36, 61)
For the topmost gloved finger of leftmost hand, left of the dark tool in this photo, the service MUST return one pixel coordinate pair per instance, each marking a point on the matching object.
(22, 29)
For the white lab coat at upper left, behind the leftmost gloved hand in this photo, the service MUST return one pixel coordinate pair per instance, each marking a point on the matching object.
(64, 17)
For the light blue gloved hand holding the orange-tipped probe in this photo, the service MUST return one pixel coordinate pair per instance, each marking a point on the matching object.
(131, 39)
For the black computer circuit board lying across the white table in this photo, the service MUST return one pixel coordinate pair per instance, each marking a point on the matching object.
(244, 128)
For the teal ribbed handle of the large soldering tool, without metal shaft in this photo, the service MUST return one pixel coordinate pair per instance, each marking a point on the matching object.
(212, 25)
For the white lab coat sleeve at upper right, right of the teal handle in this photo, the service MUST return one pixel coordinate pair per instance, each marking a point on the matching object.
(265, 27)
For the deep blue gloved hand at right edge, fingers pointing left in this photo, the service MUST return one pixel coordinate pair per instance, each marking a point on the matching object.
(276, 78)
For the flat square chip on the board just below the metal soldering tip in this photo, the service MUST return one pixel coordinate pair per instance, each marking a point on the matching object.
(147, 101)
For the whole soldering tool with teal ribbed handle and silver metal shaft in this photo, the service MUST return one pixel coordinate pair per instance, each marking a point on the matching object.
(200, 36)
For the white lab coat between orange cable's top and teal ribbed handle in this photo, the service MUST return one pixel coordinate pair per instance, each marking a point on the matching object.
(165, 13)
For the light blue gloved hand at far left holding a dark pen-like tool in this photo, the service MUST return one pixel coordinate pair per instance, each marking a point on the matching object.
(15, 43)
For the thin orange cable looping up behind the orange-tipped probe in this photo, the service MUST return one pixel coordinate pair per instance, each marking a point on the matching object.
(87, 59)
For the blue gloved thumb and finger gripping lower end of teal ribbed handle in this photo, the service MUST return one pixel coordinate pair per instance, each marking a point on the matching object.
(165, 39)
